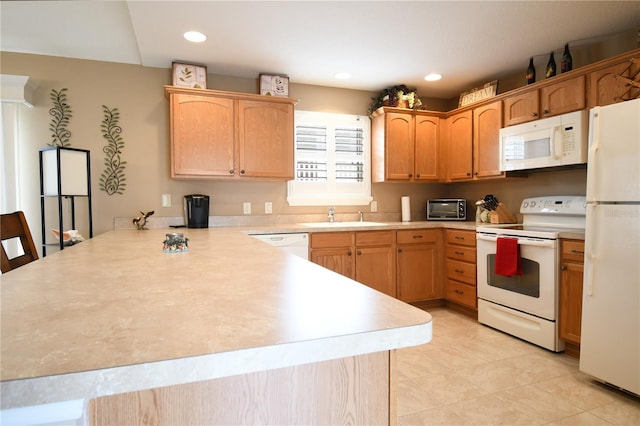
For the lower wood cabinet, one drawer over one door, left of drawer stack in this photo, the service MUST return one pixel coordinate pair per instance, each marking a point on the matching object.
(419, 266)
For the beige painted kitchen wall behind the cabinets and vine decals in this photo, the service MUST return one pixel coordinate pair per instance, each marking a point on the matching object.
(138, 94)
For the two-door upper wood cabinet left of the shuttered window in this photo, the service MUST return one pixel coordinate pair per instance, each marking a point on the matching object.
(225, 135)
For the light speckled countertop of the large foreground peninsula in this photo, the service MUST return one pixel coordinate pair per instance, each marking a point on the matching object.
(115, 314)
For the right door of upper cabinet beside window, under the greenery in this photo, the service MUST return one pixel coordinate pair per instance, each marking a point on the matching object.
(426, 147)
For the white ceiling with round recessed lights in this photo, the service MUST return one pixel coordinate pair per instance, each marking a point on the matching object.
(381, 43)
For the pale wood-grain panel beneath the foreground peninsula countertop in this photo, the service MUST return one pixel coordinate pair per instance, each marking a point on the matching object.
(353, 390)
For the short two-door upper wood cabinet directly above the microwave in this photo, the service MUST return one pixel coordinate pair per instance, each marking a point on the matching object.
(554, 99)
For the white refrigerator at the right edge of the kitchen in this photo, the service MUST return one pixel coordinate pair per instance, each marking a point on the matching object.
(610, 340)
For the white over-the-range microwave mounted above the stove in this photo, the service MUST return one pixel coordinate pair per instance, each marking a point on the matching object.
(549, 142)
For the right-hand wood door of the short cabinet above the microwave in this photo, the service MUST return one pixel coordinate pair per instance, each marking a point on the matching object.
(560, 98)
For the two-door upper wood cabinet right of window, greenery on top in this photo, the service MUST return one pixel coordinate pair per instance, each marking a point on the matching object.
(404, 145)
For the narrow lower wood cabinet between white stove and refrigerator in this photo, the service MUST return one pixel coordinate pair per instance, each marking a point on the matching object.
(571, 271)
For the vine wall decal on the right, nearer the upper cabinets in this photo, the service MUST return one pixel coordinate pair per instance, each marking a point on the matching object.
(112, 180)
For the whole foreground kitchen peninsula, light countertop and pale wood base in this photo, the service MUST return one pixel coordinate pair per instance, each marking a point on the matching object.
(231, 331)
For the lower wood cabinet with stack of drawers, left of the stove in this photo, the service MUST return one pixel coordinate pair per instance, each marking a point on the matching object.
(460, 266)
